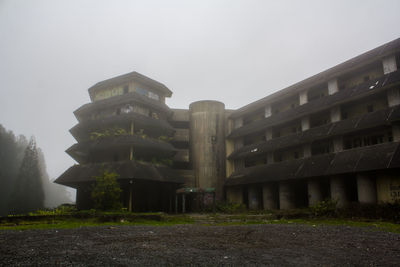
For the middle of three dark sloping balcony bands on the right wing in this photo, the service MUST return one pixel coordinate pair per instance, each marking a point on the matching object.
(366, 121)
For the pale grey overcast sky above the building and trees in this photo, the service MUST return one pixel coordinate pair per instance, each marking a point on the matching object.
(236, 52)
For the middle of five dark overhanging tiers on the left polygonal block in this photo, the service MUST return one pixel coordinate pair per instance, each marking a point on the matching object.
(157, 127)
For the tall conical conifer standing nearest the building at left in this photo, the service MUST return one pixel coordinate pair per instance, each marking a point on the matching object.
(28, 192)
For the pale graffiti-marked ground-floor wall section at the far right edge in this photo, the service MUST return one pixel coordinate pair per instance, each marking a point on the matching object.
(388, 187)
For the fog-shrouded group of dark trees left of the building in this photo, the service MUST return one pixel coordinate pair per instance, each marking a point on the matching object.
(24, 183)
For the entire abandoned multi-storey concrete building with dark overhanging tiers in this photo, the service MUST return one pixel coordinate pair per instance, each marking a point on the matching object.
(334, 135)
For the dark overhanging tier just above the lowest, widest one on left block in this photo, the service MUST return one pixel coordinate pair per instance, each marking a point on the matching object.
(142, 147)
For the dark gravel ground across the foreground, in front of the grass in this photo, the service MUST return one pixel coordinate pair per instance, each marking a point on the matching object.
(185, 245)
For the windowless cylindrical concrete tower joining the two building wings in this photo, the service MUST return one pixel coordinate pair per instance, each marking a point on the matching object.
(207, 144)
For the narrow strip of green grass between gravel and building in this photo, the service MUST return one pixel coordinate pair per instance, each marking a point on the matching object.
(206, 220)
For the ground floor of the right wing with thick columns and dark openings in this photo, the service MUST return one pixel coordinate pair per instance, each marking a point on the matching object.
(366, 188)
